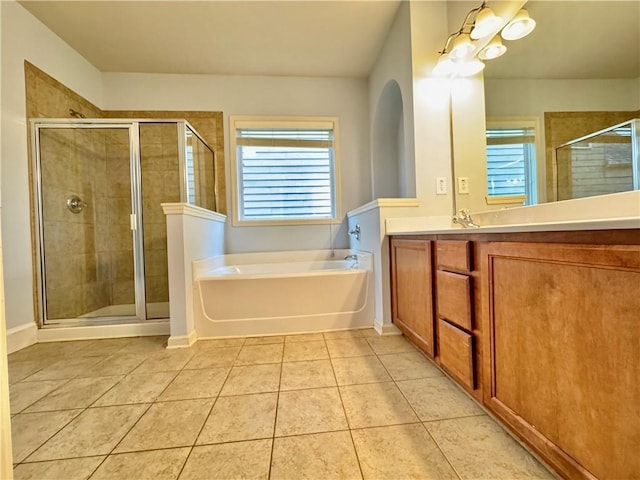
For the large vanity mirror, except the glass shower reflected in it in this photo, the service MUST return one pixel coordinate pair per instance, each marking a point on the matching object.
(577, 73)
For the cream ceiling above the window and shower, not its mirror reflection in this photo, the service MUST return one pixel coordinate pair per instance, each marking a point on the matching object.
(292, 38)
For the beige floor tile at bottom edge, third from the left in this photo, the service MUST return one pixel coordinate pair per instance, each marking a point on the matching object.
(229, 461)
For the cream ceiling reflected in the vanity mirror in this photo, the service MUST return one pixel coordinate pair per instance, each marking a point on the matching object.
(575, 39)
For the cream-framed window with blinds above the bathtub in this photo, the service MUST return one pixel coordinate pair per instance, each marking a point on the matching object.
(285, 170)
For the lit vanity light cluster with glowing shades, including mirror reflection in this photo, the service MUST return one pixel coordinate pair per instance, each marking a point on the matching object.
(460, 57)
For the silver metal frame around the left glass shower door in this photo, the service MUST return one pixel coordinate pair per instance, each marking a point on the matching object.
(135, 219)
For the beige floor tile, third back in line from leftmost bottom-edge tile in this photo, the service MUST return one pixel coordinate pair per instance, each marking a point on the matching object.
(143, 388)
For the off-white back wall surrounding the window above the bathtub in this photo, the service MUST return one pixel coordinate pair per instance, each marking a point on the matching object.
(242, 95)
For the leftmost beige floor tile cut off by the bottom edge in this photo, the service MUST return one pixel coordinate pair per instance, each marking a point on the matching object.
(70, 469)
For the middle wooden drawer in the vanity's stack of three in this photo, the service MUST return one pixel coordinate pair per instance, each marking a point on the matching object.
(454, 298)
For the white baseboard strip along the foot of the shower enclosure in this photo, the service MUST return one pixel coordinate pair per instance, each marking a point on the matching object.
(94, 332)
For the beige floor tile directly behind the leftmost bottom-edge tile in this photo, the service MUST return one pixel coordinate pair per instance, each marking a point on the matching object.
(94, 432)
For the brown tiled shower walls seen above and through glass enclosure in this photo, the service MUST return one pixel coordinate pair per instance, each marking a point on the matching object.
(107, 237)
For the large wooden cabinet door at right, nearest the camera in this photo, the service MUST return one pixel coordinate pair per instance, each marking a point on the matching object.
(563, 341)
